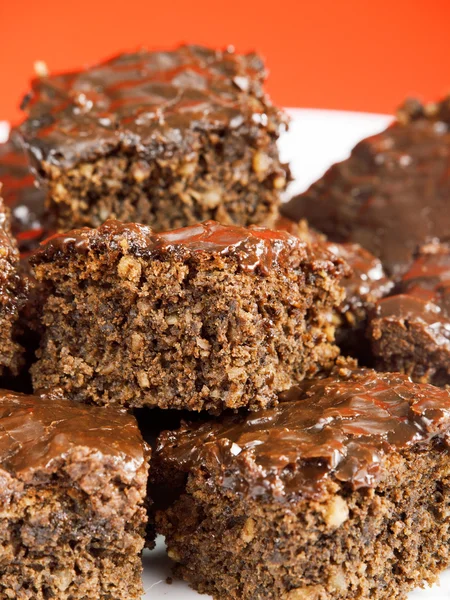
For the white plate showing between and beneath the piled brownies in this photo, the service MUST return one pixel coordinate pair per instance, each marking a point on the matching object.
(316, 139)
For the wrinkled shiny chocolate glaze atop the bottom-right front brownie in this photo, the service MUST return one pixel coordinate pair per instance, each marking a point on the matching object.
(339, 428)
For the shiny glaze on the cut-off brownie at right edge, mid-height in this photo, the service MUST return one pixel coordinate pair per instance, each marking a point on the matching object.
(423, 294)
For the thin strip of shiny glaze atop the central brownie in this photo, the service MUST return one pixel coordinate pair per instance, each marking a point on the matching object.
(254, 248)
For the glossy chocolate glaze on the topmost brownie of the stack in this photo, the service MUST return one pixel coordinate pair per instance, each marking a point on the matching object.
(143, 100)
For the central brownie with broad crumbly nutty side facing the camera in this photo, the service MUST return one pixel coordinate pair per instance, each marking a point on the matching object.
(204, 317)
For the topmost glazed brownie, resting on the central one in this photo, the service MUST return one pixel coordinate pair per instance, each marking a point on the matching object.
(166, 139)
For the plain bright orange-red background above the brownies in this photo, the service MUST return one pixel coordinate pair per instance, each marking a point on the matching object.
(345, 54)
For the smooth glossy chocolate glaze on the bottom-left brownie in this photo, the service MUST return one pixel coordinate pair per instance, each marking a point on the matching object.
(37, 432)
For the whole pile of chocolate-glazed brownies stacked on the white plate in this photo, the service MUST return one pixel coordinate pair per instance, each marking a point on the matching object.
(170, 280)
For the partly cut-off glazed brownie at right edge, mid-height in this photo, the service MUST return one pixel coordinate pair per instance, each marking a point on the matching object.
(410, 330)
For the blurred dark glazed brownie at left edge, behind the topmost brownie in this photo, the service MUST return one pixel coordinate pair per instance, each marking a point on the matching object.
(30, 223)
